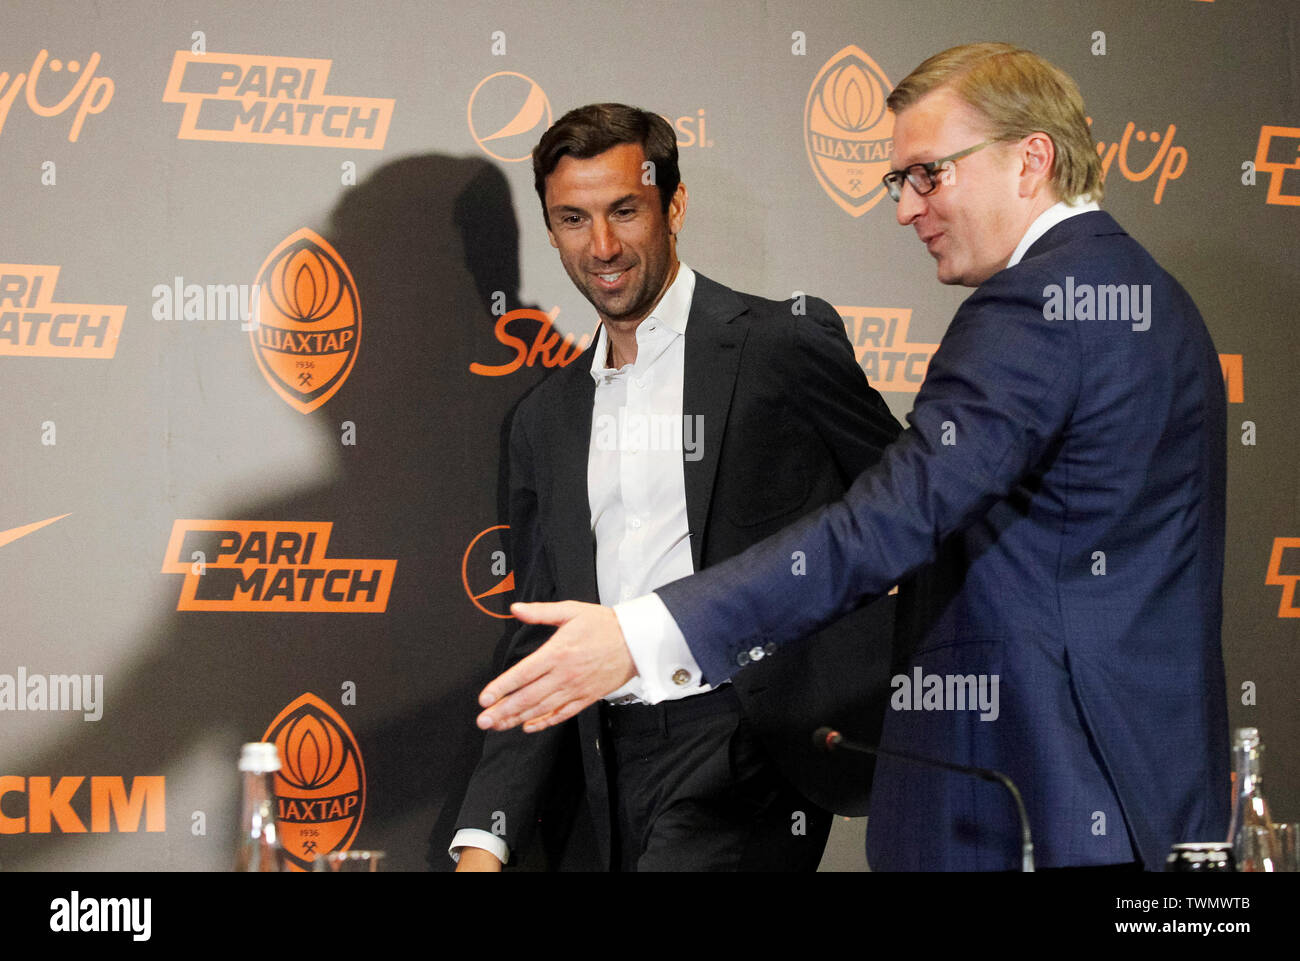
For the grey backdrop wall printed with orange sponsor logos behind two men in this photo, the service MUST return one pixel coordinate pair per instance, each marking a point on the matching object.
(272, 278)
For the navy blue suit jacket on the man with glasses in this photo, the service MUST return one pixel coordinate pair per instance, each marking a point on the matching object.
(1059, 497)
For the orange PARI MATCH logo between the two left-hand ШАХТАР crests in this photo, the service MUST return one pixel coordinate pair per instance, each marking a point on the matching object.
(272, 566)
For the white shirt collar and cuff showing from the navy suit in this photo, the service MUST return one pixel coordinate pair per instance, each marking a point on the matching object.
(645, 621)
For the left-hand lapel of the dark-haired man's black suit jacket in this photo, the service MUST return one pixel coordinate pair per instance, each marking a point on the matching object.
(571, 436)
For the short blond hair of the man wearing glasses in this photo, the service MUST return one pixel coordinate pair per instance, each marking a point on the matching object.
(1019, 93)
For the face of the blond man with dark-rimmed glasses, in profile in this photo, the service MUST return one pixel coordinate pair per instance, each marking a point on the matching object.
(983, 205)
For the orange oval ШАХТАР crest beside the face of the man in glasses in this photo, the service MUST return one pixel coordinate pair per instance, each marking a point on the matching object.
(848, 131)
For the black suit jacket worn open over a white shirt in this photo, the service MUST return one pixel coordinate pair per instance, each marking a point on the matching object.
(788, 422)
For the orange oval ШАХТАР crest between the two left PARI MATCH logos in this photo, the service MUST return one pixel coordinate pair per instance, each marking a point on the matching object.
(309, 321)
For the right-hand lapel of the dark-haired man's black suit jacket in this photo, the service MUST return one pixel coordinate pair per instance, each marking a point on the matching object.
(714, 345)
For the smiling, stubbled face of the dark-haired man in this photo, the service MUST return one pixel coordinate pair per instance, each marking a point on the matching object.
(616, 241)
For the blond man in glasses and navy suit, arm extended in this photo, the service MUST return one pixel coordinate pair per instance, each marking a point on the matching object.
(1059, 497)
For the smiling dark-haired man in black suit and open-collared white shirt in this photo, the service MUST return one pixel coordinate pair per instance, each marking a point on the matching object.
(700, 422)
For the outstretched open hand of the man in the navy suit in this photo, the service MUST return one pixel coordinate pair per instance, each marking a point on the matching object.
(583, 661)
